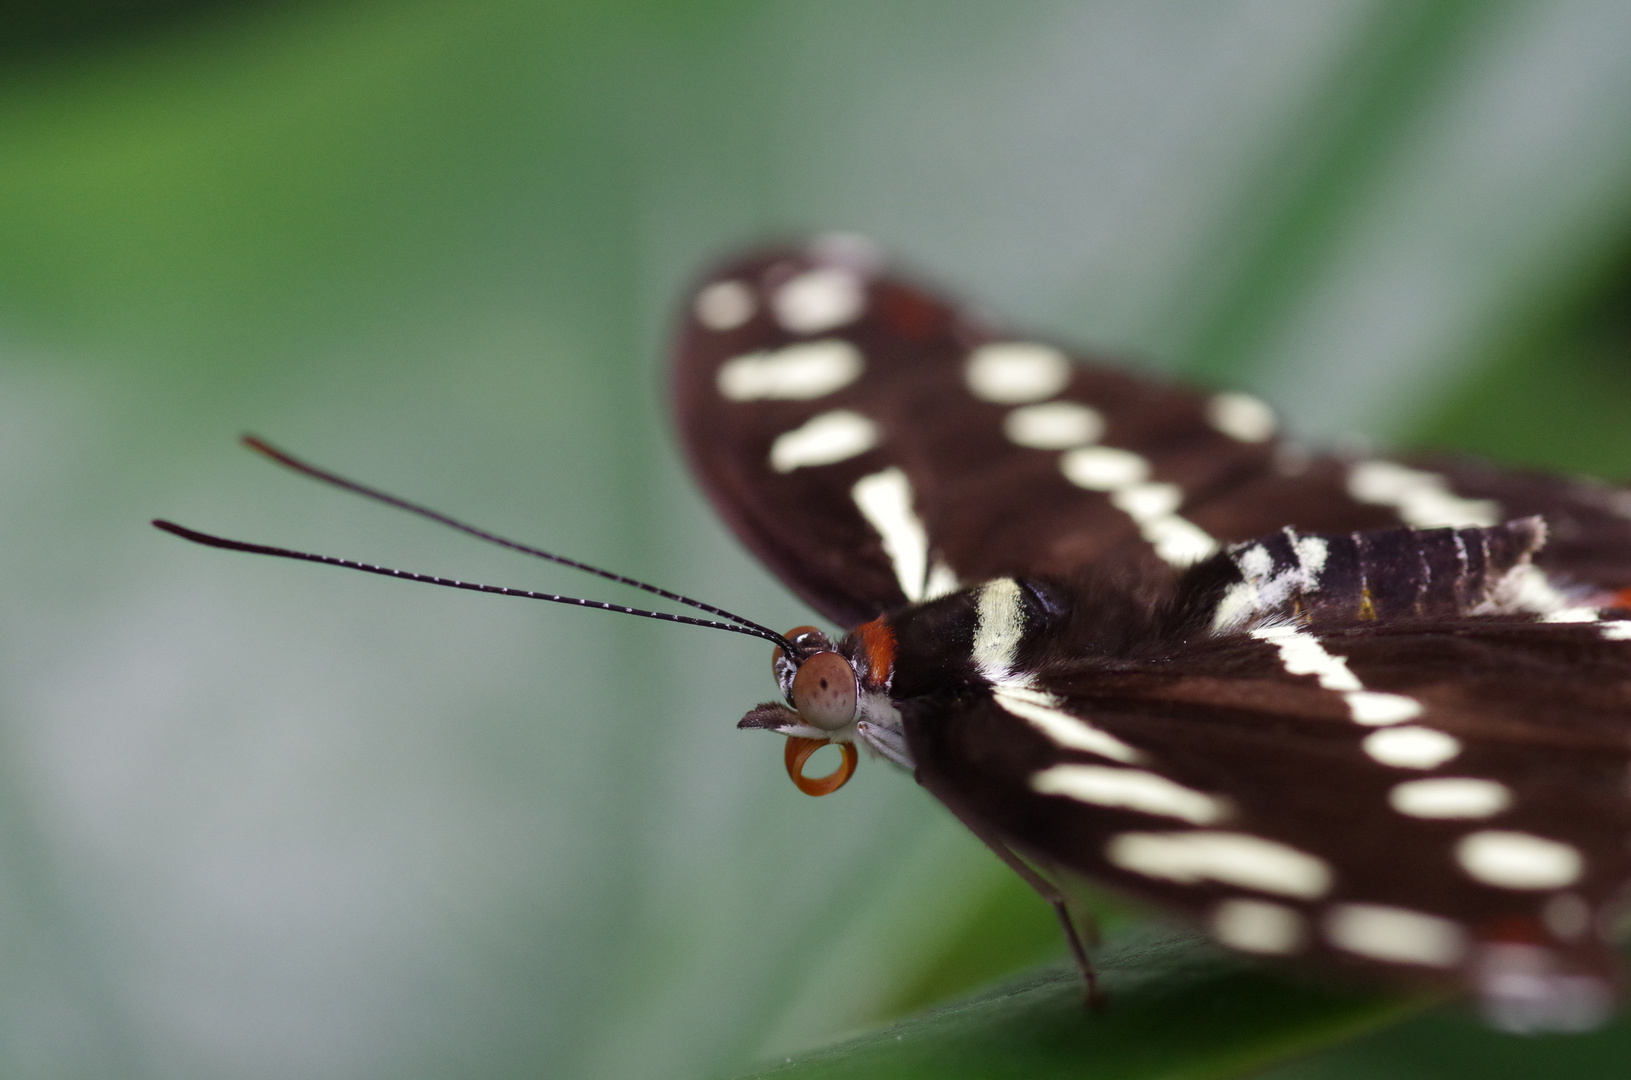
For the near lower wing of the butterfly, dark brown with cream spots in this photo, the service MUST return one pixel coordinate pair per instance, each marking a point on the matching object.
(1439, 800)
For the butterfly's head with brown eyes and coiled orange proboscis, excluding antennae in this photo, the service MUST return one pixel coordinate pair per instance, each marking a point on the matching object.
(838, 694)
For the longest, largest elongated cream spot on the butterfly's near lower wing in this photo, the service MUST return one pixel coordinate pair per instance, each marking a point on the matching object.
(1226, 857)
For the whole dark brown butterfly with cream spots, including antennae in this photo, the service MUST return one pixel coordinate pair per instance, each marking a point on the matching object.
(1343, 710)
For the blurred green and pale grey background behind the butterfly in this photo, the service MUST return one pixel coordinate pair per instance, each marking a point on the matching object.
(273, 821)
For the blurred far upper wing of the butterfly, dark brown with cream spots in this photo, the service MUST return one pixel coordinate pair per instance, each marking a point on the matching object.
(875, 445)
